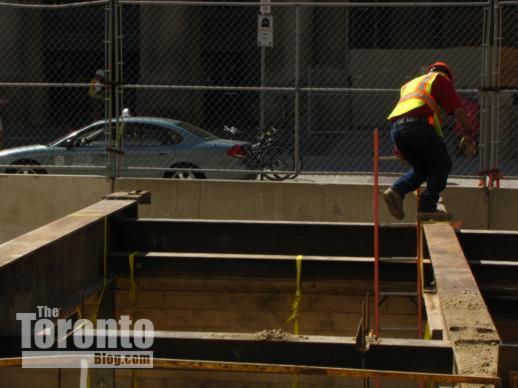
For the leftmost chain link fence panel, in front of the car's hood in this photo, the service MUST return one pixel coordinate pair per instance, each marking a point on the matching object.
(49, 55)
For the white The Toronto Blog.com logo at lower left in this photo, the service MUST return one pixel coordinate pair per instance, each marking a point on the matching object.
(49, 341)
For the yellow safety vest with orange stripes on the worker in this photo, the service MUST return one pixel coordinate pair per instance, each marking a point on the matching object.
(417, 93)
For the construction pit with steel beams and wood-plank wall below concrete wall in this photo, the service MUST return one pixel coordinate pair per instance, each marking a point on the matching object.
(267, 304)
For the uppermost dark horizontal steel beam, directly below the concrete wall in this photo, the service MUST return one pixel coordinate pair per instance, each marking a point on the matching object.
(308, 238)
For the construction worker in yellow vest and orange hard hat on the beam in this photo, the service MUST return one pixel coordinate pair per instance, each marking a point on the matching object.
(415, 127)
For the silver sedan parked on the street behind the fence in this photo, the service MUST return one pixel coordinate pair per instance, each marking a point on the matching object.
(150, 146)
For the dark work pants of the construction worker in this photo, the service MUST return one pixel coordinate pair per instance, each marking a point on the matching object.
(426, 152)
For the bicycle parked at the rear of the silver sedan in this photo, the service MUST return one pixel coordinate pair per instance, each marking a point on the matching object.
(268, 154)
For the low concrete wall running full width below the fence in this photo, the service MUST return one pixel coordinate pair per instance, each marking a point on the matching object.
(29, 202)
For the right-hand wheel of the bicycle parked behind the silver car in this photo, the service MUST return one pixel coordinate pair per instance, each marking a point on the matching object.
(277, 158)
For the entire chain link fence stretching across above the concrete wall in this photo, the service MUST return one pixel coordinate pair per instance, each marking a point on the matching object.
(323, 75)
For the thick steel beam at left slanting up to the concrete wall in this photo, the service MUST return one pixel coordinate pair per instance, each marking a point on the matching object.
(51, 265)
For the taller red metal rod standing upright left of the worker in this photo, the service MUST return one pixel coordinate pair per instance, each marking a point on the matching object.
(376, 233)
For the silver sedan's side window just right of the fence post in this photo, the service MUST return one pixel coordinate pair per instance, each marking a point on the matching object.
(149, 135)
